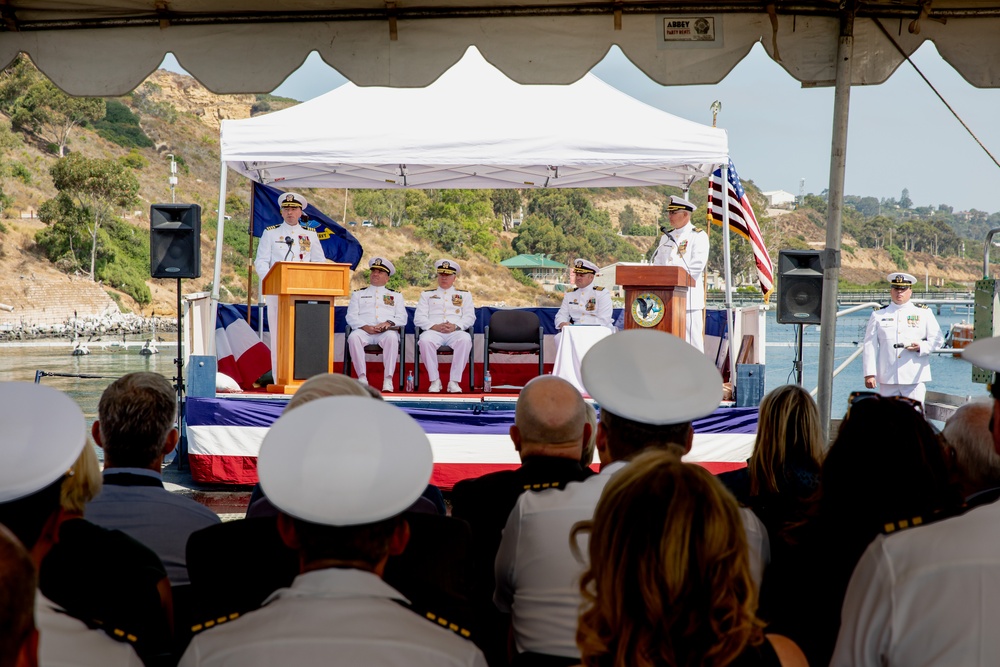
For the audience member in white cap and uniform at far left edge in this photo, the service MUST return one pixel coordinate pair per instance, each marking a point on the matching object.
(44, 433)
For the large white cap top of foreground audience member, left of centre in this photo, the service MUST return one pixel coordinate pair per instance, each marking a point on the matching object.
(344, 461)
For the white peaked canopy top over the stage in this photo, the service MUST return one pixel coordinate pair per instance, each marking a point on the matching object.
(473, 128)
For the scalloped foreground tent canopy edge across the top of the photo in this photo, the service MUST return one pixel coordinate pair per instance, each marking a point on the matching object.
(108, 47)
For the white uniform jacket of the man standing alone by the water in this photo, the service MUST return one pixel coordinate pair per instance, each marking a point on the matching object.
(905, 324)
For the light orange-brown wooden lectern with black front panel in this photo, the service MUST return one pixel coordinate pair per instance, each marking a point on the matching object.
(306, 292)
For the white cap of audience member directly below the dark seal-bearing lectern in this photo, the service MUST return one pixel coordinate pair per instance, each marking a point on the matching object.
(651, 377)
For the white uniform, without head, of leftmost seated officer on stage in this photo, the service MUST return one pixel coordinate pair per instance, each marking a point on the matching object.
(370, 306)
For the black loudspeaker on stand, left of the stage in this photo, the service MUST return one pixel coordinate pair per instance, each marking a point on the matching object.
(175, 241)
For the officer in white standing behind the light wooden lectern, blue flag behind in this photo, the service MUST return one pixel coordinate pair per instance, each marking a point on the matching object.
(287, 242)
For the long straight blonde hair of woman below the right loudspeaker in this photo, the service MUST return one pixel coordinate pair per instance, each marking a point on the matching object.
(788, 431)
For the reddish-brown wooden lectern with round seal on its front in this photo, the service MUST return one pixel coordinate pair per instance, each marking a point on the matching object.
(655, 297)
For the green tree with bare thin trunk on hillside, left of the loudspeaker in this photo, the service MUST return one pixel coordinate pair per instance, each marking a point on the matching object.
(98, 187)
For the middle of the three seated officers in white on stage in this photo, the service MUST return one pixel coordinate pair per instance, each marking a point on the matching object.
(446, 315)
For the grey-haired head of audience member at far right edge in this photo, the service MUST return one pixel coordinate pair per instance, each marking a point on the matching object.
(977, 465)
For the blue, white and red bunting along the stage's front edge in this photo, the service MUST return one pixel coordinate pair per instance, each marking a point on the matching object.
(468, 433)
